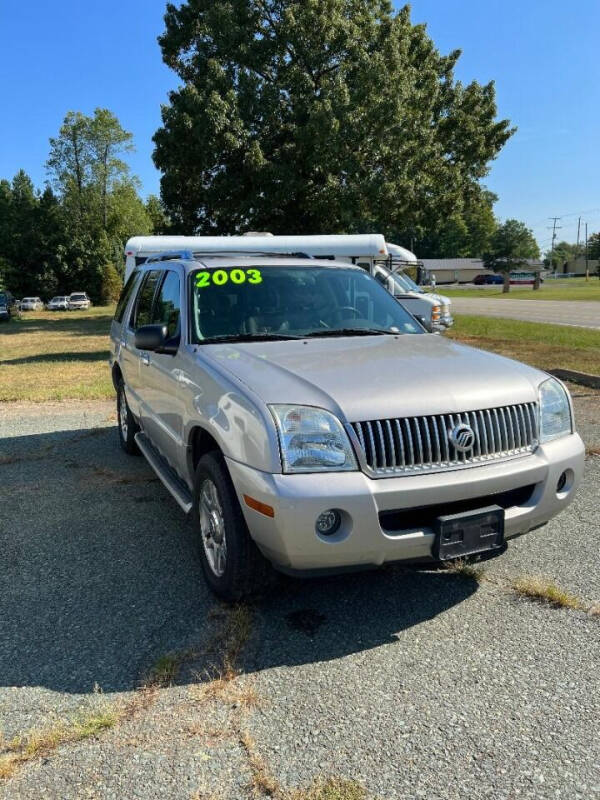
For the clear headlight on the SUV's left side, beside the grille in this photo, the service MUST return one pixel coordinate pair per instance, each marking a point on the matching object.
(312, 440)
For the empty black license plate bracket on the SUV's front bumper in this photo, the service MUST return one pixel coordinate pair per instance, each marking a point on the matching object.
(468, 533)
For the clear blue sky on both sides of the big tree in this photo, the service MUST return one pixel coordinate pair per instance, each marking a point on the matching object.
(542, 55)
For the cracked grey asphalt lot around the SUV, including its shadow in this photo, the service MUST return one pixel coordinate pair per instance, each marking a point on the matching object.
(411, 683)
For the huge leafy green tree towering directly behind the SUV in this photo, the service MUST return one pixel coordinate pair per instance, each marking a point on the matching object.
(332, 115)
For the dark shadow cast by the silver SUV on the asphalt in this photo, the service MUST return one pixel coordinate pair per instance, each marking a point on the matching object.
(100, 576)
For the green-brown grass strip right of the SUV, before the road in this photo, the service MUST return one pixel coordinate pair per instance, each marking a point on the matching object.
(544, 346)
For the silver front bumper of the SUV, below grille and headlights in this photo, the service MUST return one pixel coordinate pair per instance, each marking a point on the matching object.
(290, 541)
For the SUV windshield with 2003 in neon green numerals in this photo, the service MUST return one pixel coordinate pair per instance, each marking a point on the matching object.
(279, 302)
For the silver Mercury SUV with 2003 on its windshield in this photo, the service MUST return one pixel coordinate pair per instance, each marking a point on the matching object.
(307, 420)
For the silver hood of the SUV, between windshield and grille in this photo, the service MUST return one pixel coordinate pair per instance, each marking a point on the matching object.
(378, 377)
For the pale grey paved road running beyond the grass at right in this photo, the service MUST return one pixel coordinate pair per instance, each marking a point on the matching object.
(582, 314)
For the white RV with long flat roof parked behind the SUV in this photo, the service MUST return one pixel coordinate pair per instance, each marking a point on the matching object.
(384, 261)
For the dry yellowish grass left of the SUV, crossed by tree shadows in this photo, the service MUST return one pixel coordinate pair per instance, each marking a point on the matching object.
(56, 355)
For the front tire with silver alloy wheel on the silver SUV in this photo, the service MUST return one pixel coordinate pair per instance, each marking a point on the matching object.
(241, 570)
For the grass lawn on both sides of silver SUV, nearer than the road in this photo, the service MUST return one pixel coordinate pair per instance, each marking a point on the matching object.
(63, 355)
